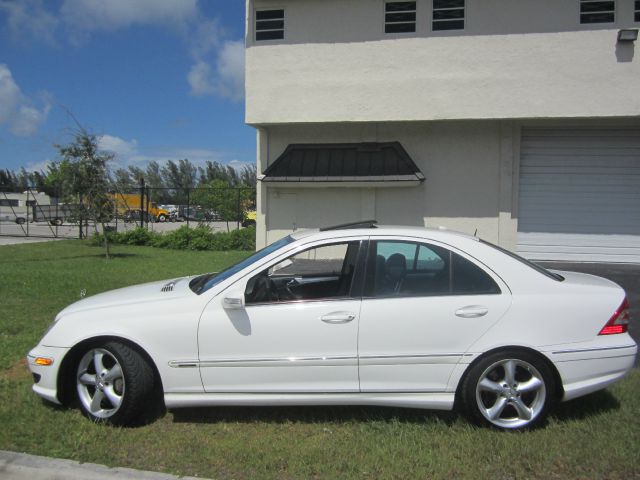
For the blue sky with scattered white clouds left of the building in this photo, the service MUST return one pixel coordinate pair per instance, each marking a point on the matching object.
(153, 79)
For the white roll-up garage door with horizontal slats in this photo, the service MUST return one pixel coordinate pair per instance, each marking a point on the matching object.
(579, 195)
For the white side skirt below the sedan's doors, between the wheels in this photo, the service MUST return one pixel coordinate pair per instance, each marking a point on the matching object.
(432, 401)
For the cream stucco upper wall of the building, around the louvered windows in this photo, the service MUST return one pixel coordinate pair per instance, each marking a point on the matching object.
(516, 59)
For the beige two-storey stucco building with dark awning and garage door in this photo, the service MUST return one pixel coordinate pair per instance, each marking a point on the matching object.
(515, 119)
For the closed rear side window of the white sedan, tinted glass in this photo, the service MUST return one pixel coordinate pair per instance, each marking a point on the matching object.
(410, 269)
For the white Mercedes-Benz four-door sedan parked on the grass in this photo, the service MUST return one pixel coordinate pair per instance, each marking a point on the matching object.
(358, 314)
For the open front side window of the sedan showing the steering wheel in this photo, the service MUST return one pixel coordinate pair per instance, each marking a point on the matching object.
(319, 273)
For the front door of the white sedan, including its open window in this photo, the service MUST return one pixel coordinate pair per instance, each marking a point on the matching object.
(297, 330)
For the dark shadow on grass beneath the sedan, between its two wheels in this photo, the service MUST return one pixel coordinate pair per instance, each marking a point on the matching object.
(312, 415)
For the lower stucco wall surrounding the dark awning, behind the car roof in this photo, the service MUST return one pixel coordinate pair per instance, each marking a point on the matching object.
(462, 191)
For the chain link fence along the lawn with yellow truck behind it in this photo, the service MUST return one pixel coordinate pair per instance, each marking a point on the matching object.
(62, 215)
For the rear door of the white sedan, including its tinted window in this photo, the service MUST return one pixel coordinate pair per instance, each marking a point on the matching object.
(423, 307)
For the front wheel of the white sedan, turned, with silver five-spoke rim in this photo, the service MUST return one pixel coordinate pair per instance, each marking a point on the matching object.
(134, 388)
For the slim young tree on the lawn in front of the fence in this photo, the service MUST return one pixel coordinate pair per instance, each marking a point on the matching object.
(82, 171)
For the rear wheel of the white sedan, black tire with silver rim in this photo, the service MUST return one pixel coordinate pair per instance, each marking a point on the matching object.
(488, 399)
